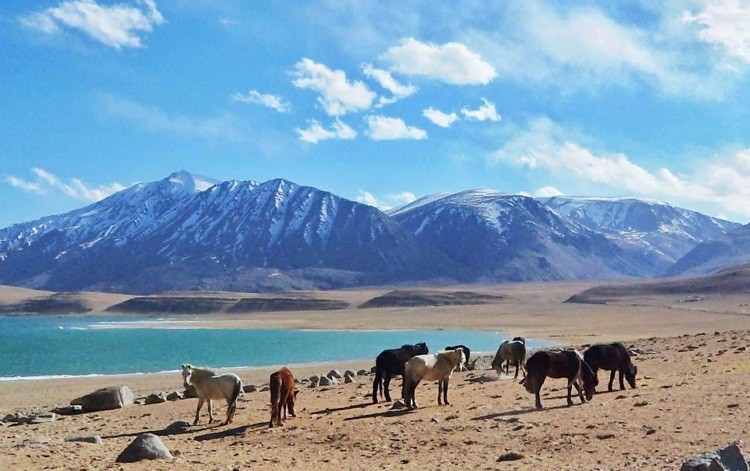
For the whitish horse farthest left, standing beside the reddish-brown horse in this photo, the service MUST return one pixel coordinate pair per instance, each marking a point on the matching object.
(210, 386)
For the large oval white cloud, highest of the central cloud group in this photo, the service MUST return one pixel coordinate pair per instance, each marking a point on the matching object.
(452, 63)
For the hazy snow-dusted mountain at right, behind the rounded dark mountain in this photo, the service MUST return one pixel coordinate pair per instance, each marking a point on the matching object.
(654, 233)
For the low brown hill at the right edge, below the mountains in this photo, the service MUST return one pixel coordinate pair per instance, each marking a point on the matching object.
(730, 281)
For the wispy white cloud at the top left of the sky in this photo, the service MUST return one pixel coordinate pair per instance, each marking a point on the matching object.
(117, 26)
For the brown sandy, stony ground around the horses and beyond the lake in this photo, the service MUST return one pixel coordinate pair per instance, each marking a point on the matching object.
(693, 396)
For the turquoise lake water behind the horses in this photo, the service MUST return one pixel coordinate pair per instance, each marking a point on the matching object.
(43, 346)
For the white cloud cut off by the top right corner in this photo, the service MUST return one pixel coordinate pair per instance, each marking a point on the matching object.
(724, 23)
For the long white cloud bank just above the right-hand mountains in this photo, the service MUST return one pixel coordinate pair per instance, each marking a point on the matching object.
(721, 184)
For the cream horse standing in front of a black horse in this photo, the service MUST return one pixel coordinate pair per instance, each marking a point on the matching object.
(437, 367)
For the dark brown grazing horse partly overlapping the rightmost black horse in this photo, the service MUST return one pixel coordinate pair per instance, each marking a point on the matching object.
(567, 364)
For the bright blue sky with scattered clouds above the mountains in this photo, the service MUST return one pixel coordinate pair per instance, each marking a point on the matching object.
(377, 101)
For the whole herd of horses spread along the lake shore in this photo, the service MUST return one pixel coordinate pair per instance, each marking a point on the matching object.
(415, 364)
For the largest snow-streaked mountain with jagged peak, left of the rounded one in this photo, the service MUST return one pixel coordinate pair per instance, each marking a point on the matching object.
(181, 233)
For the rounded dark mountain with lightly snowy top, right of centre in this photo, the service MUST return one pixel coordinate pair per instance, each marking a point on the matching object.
(500, 236)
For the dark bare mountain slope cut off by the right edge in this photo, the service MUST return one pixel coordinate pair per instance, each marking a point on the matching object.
(727, 250)
